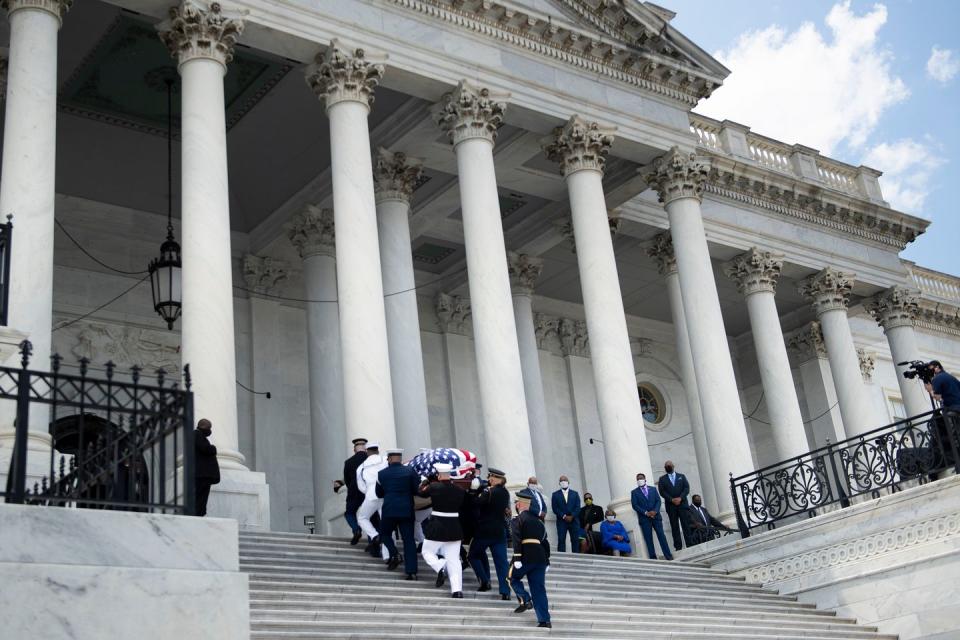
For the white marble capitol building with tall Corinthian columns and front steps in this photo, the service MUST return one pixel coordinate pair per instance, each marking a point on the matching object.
(495, 225)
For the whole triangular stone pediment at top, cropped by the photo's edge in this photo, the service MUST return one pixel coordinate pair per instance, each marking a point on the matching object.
(625, 40)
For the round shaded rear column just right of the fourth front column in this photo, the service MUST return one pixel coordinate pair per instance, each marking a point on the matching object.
(524, 271)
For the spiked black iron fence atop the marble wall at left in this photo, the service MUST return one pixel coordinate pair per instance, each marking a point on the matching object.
(117, 442)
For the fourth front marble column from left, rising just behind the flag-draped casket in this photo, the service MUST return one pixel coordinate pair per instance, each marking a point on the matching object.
(471, 116)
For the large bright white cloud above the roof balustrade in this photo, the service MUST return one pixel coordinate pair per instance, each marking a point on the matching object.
(807, 88)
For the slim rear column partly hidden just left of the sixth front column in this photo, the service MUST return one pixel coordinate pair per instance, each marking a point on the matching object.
(662, 251)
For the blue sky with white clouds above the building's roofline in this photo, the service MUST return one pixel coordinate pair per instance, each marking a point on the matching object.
(865, 82)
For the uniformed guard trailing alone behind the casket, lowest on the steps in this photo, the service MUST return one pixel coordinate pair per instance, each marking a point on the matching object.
(531, 558)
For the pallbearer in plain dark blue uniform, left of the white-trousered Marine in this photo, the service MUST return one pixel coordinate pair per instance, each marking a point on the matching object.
(397, 484)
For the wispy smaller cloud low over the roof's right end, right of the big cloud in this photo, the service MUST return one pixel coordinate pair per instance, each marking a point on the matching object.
(908, 166)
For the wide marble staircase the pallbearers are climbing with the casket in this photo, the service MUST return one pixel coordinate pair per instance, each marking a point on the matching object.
(306, 586)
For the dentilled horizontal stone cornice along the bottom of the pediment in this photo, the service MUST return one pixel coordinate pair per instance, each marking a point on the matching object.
(634, 64)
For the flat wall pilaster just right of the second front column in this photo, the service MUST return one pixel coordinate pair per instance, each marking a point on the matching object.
(262, 276)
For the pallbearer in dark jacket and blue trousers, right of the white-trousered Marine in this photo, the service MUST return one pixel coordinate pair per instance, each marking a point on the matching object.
(493, 507)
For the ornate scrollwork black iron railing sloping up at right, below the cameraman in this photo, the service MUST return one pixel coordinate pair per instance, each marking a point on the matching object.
(881, 461)
